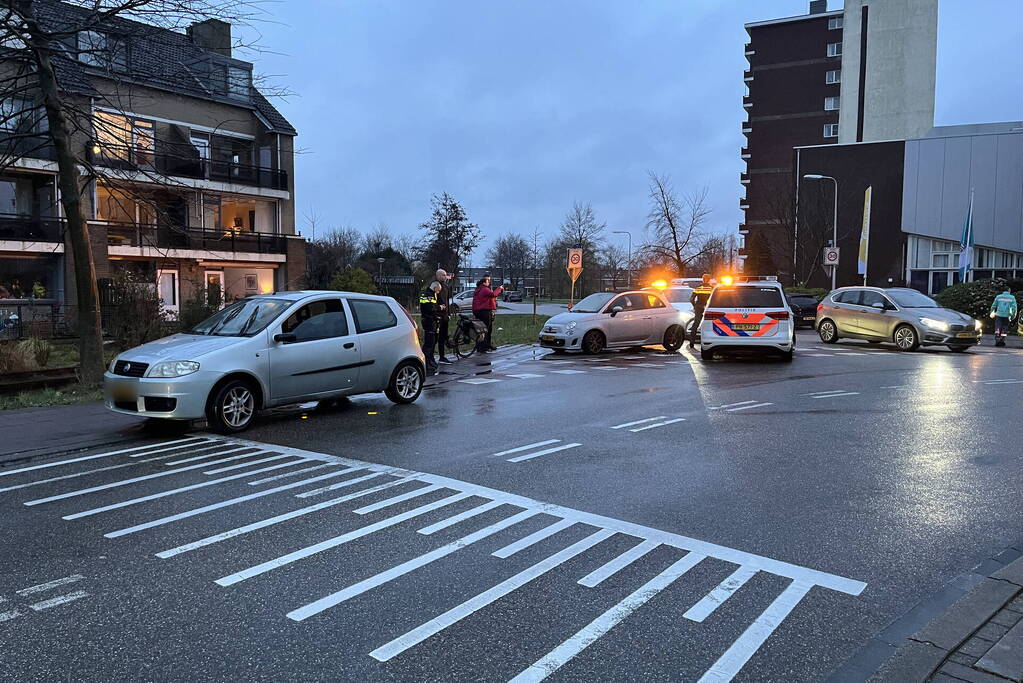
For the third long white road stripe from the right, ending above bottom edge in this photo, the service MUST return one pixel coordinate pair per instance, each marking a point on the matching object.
(456, 615)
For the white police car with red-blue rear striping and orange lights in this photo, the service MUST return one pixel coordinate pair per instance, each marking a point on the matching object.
(750, 316)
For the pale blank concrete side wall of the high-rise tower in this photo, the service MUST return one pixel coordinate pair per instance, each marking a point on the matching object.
(902, 57)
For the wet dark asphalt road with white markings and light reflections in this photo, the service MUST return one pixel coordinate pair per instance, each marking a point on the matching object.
(834, 493)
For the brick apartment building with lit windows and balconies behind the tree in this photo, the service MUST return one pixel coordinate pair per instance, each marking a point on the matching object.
(189, 175)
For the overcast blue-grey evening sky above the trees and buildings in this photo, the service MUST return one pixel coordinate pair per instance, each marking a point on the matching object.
(520, 109)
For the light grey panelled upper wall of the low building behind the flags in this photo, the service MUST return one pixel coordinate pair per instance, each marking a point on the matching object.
(940, 175)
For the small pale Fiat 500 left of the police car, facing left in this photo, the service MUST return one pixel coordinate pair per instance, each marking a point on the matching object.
(616, 321)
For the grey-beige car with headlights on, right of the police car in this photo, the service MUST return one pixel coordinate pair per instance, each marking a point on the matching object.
(903, 316)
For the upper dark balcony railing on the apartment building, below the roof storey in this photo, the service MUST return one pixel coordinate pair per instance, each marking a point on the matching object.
(183, 165)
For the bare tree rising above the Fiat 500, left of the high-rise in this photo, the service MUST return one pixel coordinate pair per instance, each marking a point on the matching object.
(676, 224)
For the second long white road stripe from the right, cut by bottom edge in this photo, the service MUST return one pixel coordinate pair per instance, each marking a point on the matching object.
(590, 634)
